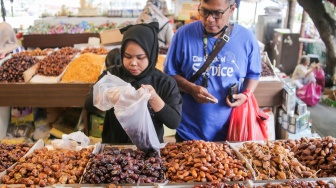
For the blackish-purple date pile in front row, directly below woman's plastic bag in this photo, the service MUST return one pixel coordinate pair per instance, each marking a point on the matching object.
(119, 166)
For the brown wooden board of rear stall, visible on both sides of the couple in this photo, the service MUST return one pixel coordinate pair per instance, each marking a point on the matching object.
(268, 93)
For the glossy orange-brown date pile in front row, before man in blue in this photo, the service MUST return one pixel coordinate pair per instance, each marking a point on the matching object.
(200, 161)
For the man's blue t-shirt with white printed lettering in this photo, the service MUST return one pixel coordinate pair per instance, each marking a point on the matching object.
(238, 59)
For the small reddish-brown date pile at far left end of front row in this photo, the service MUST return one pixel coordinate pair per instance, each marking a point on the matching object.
(11, 153)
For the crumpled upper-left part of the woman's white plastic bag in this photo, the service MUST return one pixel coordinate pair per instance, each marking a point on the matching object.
(105, 90)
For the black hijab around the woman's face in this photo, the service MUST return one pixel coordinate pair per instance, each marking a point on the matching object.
(146, 36)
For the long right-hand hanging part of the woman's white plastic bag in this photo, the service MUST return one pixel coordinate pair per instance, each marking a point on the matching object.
(132, 112)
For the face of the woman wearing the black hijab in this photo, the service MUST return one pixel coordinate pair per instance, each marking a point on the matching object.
(135, 59)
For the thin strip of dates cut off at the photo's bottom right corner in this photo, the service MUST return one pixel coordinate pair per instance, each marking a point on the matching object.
(298, 184)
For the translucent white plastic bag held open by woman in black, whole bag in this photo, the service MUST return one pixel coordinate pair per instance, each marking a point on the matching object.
(130, 108)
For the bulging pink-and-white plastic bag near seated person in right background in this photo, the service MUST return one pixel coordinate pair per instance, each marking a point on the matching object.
(310, 93)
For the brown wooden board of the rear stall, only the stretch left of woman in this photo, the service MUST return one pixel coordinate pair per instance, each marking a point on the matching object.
(44, 94)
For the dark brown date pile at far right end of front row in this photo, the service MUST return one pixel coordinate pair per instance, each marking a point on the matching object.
(316, 153)
